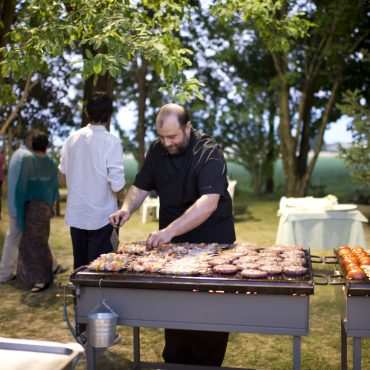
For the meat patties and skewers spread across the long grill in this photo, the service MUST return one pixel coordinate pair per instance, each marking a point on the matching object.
(204, 259)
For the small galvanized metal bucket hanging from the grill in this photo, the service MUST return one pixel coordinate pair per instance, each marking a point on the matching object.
(102, 329)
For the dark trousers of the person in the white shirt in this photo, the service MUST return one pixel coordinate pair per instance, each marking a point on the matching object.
(90, 244)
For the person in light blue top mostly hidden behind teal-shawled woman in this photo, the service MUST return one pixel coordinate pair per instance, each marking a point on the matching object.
(8, 265)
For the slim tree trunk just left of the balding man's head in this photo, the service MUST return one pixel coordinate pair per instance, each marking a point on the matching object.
(142, 70)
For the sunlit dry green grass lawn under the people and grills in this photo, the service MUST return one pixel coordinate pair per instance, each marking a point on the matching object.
(40, 316)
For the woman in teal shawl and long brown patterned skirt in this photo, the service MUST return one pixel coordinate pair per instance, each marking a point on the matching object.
(35, 195)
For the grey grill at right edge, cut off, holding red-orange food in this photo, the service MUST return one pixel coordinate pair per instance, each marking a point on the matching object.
(353, 298)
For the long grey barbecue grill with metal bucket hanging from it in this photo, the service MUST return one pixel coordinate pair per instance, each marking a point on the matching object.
(276, 305)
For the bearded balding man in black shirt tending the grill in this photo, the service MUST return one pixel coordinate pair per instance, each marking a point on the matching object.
(188, 171)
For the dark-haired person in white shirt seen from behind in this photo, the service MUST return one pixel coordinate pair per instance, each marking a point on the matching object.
(91, 165)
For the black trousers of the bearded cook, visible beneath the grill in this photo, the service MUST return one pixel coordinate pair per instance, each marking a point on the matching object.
(195, 347)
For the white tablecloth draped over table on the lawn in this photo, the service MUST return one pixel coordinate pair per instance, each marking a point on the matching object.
(321, 229)
